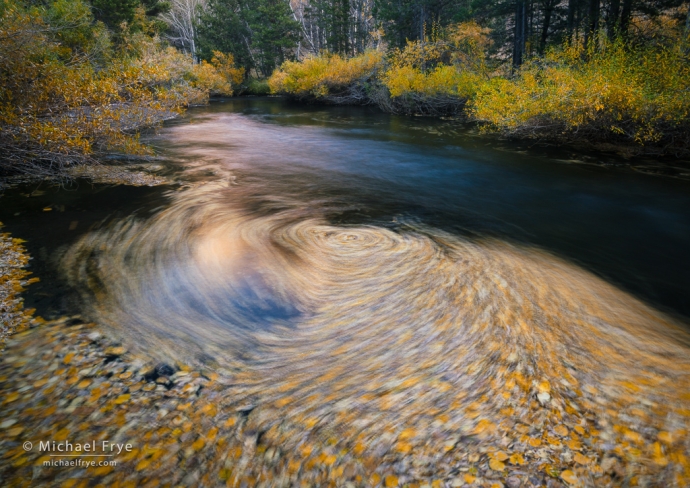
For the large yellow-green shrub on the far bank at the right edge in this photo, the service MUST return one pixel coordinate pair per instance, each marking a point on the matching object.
(616, 92)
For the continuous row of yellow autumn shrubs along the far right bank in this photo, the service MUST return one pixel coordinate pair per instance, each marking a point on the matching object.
(608, 91)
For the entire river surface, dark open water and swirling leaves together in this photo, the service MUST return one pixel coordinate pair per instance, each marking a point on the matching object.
(357, 274)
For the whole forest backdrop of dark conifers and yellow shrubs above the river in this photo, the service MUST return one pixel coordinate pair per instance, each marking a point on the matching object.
(78, 79)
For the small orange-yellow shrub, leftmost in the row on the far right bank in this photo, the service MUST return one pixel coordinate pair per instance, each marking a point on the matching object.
(328, 78)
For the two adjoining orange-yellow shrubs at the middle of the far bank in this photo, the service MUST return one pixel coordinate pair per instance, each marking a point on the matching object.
(424, 77)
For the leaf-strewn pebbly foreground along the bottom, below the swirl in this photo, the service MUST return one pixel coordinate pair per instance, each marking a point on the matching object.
(71, 382)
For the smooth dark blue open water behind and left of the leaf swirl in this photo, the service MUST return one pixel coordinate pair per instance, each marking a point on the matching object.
(357, 166)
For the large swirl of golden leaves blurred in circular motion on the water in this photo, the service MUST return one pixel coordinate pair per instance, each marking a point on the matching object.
(238, 281)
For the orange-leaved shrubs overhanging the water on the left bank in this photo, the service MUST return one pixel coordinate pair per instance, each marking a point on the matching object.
(66, 93)
